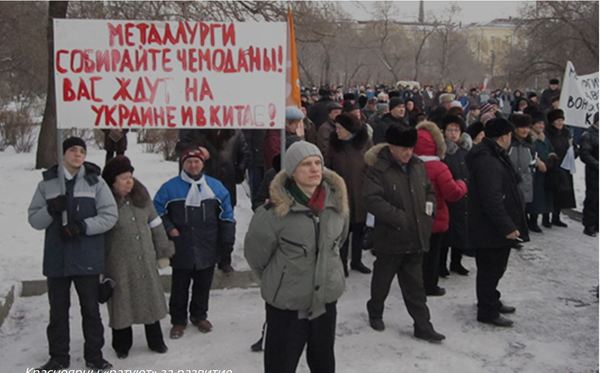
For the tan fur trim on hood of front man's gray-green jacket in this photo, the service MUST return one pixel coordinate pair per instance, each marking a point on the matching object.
(337, 195)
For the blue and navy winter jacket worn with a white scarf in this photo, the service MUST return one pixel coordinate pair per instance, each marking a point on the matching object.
(204, 229)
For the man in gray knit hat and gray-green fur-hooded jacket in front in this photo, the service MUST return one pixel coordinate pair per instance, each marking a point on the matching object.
(293, 244)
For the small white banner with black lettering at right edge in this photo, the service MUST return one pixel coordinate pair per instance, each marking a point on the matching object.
(579, 97)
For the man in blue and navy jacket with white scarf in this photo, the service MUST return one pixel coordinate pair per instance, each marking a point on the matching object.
(197, 213)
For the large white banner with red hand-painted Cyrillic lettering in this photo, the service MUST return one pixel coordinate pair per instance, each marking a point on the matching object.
(153, 74)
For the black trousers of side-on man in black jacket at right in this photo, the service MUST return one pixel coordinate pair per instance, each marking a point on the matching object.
(491, 265)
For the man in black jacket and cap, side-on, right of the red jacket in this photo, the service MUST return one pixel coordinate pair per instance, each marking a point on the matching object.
(496, 217)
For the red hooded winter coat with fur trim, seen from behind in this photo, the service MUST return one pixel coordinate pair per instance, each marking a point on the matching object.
(431, 149)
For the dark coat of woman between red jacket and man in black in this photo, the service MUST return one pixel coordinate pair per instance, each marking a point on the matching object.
(456, 159)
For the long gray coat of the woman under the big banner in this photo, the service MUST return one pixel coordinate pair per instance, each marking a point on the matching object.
(133, 246)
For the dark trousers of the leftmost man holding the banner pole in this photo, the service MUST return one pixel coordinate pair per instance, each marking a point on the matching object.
(59, 297)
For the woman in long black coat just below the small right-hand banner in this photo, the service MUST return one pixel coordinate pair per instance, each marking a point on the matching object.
(561, 180)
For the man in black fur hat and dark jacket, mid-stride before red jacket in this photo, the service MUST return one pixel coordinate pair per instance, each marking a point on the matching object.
(398, 193)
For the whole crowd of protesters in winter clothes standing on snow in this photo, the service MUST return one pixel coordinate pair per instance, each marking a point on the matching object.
(411, 174)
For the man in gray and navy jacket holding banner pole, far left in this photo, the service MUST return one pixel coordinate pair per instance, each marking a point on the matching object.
(73, 253)
